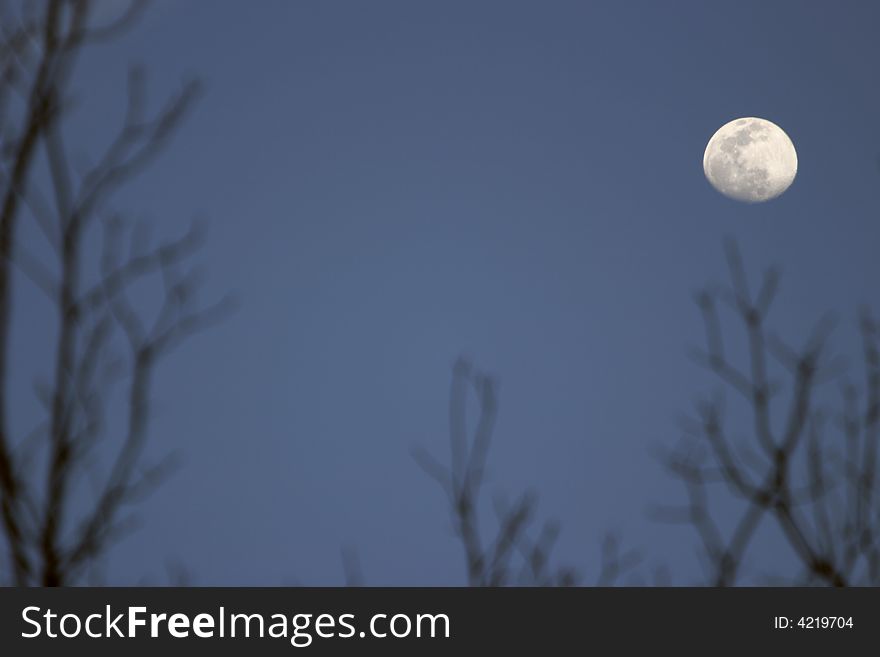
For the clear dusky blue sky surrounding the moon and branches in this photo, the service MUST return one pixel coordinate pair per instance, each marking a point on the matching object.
(392, 184)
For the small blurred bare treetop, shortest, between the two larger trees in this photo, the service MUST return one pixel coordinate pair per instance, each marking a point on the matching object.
(519, 550)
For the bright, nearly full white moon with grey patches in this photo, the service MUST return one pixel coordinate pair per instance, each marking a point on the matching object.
(750, 160)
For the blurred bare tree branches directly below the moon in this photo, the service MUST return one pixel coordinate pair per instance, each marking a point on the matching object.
(808, 463)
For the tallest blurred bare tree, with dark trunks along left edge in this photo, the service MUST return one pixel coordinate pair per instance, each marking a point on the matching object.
(103, 342)
